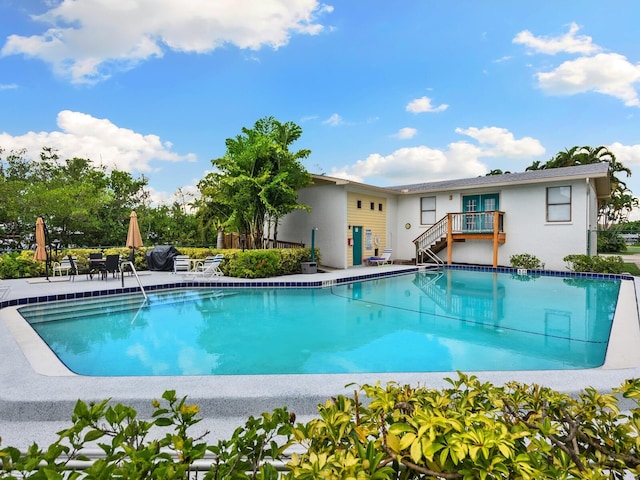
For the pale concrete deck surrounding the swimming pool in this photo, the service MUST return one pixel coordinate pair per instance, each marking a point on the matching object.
(37, 395)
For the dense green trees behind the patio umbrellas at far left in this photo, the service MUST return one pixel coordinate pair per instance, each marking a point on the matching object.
(82, 204)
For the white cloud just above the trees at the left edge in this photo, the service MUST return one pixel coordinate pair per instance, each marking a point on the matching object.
(100, 140)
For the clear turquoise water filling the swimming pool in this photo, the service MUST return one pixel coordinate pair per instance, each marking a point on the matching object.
(421, 322)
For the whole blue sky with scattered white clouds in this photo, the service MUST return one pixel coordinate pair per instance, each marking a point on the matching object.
(386, 93)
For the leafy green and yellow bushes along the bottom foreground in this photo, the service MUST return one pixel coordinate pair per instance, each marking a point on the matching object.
(470, 430)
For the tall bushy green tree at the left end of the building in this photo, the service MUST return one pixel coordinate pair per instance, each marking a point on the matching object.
(260, 177)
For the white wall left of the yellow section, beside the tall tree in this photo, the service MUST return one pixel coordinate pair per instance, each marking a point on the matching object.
(329, 215)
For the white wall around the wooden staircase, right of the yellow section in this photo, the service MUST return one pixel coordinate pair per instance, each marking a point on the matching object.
(525, 225)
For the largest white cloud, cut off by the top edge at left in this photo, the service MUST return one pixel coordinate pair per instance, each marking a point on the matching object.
(87, 40)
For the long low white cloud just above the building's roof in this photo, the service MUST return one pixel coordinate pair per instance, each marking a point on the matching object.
(459, 160)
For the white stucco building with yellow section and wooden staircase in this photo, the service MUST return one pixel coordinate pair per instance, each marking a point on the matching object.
(482, 220)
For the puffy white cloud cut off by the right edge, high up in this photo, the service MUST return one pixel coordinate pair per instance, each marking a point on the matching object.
(606, 73)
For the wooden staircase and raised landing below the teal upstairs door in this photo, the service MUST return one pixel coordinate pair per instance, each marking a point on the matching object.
(460, 227)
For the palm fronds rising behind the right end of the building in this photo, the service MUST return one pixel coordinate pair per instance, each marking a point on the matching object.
(614, 209)
